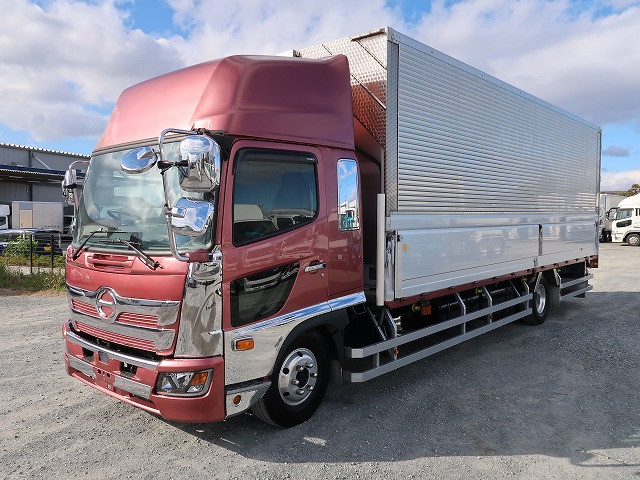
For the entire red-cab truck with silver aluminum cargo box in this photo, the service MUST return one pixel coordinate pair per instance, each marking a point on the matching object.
(251, 224)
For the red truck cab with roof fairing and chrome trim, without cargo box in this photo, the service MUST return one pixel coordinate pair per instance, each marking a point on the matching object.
(197, 340)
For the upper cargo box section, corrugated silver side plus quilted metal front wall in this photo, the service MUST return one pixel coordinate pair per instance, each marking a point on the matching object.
(458, 141)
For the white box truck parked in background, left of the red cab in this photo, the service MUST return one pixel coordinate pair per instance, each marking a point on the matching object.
(40, 215)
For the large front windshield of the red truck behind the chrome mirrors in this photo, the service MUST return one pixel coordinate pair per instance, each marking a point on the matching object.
(131, 206)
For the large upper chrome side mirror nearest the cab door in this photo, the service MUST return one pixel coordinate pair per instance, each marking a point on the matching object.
(200, 164)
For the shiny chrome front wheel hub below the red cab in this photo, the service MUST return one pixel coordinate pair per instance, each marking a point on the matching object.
(298, 376)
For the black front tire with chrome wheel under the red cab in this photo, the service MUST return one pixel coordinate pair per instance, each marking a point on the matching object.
(307, 362)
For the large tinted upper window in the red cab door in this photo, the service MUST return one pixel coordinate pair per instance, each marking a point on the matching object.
(273, 192)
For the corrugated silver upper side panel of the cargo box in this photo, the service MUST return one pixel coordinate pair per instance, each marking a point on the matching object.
(468, 143)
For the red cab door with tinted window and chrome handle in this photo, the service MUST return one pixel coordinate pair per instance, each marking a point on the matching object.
(274, 233)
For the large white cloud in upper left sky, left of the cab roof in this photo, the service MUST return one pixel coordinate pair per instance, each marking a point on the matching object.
(62, 64)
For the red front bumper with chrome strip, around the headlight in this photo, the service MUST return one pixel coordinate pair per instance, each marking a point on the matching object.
(133, 379)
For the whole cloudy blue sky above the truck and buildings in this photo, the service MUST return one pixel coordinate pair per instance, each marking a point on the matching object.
(63, 63)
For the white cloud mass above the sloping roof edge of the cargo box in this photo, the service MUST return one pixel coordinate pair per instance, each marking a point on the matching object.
(583, 62)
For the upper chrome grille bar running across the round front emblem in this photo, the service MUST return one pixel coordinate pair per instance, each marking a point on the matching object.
(165, 310)
